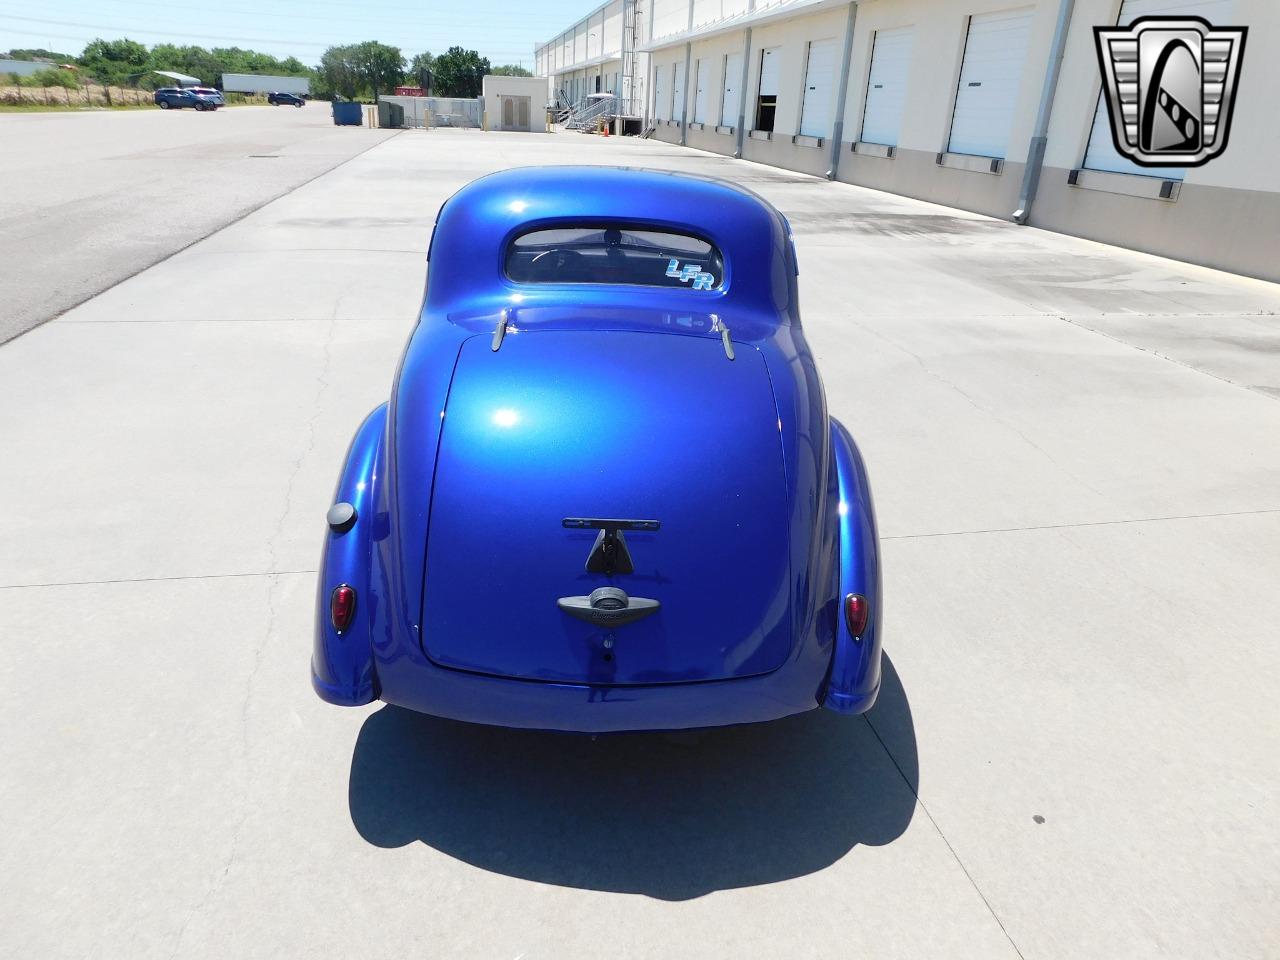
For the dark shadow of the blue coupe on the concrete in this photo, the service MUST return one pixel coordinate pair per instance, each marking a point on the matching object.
(670, 817)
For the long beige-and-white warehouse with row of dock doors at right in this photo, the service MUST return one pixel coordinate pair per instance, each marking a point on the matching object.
(988, 106)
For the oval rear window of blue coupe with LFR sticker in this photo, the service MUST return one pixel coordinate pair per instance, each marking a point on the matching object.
(615, 254)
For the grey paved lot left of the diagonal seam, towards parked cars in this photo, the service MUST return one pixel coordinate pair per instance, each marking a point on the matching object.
(94, 198)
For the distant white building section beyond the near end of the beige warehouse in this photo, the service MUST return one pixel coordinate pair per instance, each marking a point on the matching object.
(600, 54)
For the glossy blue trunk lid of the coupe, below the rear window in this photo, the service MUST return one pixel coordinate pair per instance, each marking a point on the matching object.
(592, 424)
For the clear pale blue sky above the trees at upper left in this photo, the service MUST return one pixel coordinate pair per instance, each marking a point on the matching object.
(502, 30)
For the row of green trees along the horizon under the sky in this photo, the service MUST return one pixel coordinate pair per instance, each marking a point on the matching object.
(355, 71)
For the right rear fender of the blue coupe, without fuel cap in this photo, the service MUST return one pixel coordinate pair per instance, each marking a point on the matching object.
(856, 665)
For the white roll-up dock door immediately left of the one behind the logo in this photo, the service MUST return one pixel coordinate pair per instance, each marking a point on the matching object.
(995, 54)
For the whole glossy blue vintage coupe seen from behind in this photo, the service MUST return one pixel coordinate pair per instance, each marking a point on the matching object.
(606, 493)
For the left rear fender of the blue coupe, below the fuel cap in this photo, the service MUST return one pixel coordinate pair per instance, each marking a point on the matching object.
(342, 666)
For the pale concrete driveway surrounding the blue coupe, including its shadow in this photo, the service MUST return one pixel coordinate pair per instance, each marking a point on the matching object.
(1076, 452)
